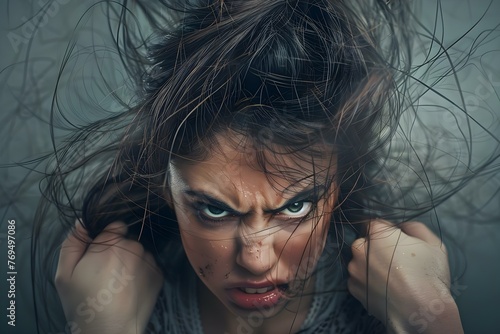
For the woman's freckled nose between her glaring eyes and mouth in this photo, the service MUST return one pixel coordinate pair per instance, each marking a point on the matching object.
(256, 250)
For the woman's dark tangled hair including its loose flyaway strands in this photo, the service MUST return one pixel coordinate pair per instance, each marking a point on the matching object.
(307, 79)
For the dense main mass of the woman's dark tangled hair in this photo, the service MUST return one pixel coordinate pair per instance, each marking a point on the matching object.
(288, 74)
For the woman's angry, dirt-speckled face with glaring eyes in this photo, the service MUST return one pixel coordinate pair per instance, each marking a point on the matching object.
(253, 238)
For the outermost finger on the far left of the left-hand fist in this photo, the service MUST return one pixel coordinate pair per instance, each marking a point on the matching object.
(72, 250)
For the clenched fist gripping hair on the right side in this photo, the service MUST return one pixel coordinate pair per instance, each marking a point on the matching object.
(401, 276)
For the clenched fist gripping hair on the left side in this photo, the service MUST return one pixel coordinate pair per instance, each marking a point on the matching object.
(106, 285)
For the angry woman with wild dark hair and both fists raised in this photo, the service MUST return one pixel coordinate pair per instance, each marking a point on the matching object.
(257, 150)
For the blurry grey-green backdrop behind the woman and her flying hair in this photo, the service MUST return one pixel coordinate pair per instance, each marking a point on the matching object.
(24, 132)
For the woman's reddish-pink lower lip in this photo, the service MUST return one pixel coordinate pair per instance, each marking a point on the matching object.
(252, 301)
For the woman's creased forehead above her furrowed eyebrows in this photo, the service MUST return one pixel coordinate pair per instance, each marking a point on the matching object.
(236, 163)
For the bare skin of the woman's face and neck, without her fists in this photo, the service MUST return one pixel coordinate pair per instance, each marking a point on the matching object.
(252, 245)
